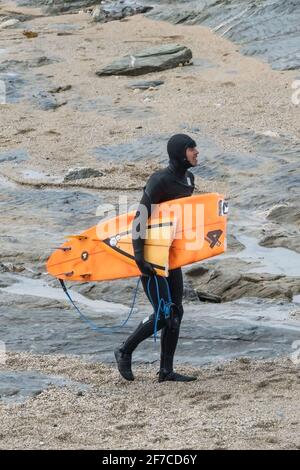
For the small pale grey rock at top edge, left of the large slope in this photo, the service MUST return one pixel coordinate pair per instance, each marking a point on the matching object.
(108, 11)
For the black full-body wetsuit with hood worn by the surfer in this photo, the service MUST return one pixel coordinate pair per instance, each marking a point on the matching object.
(172, 182)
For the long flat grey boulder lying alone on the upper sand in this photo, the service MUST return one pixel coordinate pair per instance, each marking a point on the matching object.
(149, 60)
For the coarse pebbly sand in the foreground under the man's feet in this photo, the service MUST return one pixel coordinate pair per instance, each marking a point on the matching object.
(237, 405)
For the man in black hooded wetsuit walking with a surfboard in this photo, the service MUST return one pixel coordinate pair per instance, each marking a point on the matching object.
(172, 182)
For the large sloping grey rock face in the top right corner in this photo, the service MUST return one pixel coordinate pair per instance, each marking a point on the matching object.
(255, 25)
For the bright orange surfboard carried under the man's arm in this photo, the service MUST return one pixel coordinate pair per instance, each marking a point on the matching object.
(180, 232)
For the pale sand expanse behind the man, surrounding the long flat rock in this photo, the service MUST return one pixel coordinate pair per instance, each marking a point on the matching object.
(231, 91)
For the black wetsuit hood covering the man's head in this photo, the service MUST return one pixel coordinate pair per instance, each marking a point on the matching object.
(176, 148)
